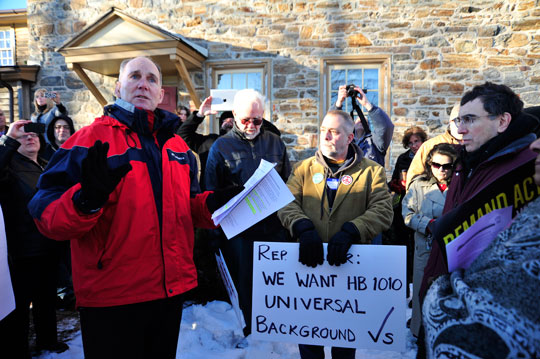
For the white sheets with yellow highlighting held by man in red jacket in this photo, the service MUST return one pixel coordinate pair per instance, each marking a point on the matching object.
(264, 193)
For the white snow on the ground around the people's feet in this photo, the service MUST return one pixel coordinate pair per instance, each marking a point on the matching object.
(211, 331)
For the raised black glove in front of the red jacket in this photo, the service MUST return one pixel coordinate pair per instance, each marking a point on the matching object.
(98, 181)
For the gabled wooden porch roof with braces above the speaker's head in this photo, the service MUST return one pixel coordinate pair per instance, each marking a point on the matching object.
(116, 36)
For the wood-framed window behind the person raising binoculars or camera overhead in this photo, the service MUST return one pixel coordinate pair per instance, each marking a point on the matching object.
(367, 72)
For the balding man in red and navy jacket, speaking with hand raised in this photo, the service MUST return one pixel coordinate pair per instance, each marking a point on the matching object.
(125, 191)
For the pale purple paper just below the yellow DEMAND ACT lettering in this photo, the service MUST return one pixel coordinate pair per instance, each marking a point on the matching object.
(463, 250)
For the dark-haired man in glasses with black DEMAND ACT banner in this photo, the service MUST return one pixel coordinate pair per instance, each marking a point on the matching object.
(496, 167)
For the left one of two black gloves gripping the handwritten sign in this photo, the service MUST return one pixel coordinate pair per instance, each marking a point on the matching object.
(311, 249)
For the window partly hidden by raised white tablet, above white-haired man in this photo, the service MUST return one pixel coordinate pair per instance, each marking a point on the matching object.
(239, 75)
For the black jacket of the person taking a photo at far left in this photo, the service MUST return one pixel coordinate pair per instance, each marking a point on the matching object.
(18, 179)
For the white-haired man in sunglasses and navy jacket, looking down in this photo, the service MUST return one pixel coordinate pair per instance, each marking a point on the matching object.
(232, 160)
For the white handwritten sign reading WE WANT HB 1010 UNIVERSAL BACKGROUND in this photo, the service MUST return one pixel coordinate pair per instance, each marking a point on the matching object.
(360, 304)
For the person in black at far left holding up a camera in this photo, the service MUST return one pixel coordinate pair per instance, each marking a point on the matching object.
(33, 260)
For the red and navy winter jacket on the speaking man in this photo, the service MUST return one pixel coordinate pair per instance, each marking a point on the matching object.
(139, 246)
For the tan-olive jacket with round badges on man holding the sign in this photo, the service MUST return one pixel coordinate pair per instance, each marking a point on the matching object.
(365, 201)
